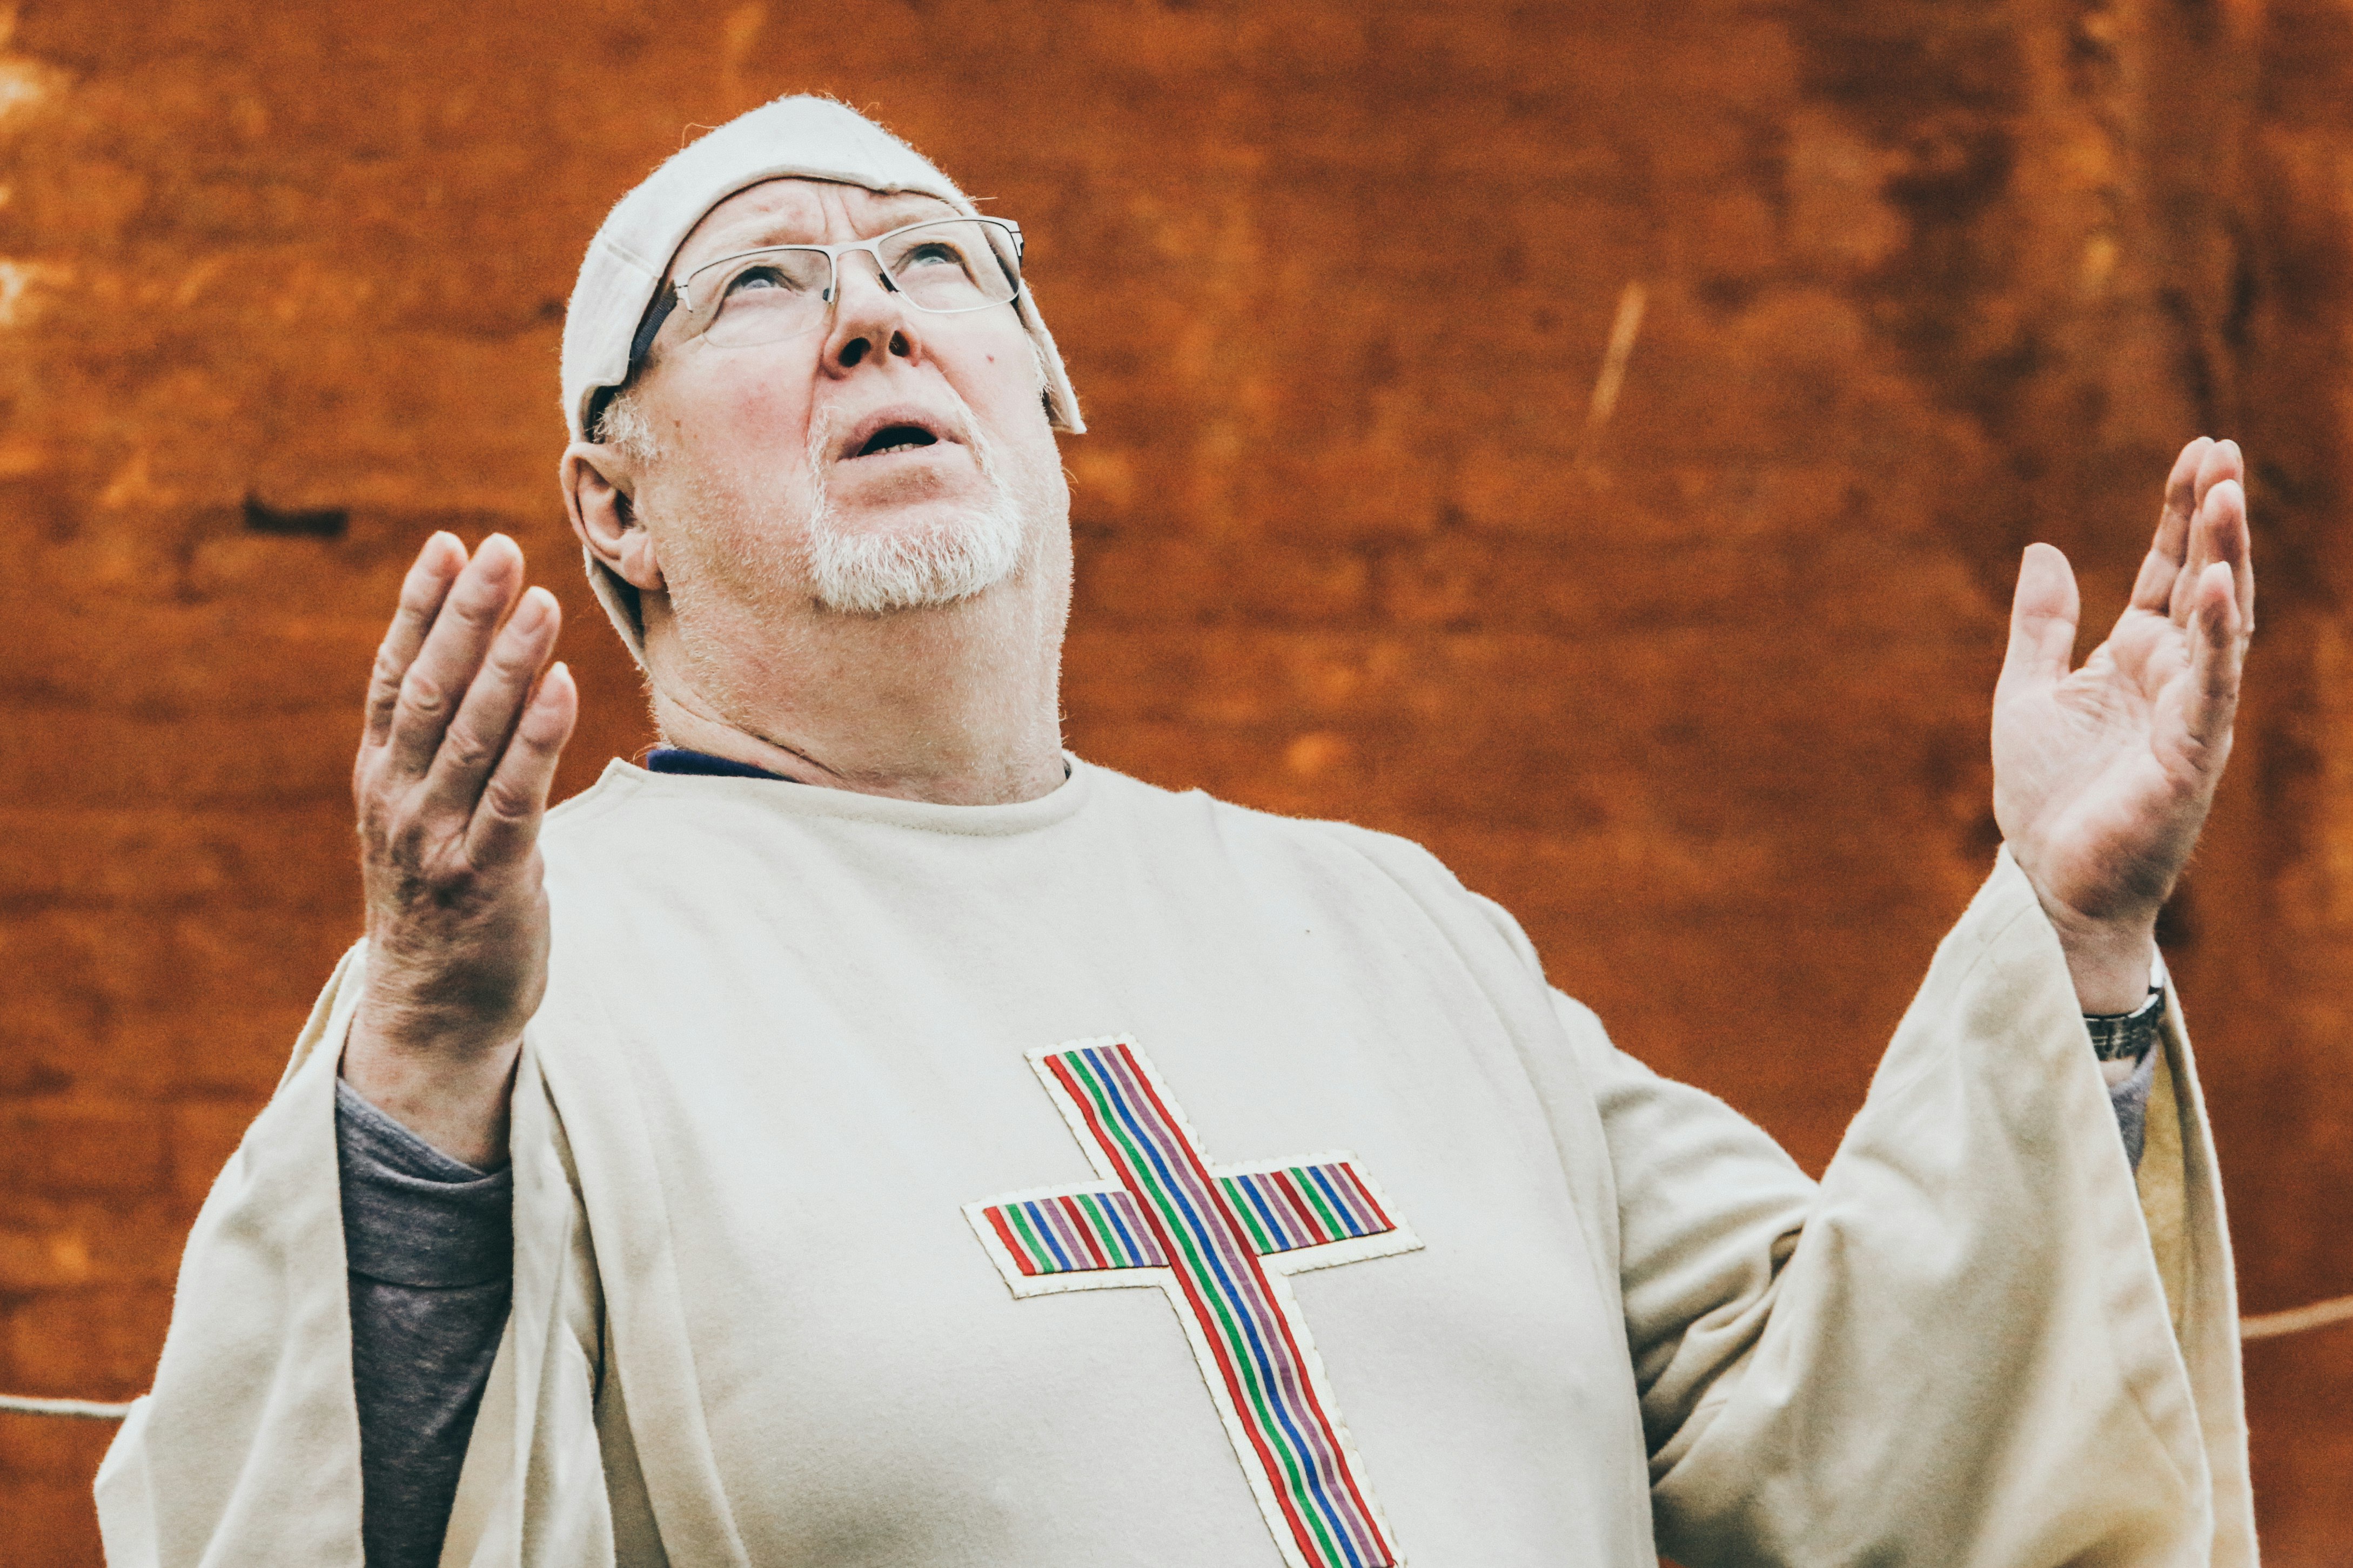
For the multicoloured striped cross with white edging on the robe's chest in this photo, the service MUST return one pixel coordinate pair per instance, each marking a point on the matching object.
(1222, 1245)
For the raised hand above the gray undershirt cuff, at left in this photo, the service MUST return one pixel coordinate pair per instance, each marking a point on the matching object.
(451, 784)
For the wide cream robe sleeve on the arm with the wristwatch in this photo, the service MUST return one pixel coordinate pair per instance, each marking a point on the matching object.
(1978, 1341)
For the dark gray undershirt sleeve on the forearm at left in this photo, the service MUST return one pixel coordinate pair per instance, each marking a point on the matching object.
(432, 1254)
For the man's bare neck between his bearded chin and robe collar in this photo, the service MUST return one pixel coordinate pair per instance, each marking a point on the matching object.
(956, 704)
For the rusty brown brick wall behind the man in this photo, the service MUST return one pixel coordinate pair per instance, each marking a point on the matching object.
(1700, 695)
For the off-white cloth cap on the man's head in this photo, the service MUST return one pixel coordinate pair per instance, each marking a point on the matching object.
(804, 138)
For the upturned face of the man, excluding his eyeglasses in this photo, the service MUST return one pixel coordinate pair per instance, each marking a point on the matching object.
(879, 462)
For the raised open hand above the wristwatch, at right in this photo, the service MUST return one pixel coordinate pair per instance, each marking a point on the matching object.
(2102, 777)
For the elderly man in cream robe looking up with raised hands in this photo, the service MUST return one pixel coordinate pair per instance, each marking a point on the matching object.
(874, 1137)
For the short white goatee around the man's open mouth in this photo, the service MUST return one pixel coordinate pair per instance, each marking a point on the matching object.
(872, 575)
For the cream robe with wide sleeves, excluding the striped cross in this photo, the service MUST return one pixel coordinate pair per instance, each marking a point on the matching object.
(785, 1050)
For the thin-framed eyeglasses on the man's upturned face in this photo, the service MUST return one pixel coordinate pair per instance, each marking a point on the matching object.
(942, 267)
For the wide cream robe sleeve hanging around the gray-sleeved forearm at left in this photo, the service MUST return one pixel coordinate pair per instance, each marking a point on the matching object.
(248, 1445)
